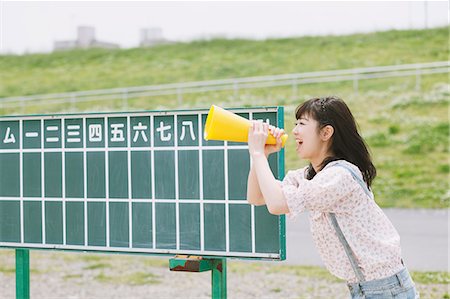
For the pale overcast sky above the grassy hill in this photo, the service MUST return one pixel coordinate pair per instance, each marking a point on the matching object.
(34, 26)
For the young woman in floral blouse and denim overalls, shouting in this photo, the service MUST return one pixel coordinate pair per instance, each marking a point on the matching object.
(355, 239)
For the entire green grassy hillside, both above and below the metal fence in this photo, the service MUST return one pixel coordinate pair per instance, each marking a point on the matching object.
(407, 130)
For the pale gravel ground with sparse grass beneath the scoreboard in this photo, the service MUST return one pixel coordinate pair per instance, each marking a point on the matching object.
(80, 275)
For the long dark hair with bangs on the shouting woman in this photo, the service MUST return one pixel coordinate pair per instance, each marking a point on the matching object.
(346, 143)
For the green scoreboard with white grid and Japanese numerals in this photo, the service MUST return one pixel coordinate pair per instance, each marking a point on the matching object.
(142, 182)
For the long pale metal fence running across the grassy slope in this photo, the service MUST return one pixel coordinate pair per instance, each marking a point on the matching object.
(234, 85)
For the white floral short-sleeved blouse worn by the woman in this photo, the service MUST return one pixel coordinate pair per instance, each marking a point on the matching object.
(370, 234)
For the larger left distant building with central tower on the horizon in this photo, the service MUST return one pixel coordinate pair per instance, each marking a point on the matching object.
(85, 39)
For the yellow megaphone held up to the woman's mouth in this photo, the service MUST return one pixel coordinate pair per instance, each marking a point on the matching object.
(225, 125)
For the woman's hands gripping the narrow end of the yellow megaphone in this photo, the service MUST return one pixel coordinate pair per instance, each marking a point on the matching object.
(257, 136)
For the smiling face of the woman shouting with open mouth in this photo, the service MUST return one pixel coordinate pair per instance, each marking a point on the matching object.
(307, 138)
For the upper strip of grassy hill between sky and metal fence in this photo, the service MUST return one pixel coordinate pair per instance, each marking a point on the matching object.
(216, 59)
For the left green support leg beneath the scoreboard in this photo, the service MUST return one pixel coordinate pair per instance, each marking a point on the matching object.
(22, 274)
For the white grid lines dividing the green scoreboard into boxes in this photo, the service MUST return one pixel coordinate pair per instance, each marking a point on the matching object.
(128, 149)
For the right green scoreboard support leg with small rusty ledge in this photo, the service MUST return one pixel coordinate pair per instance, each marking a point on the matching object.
(217, 266)
